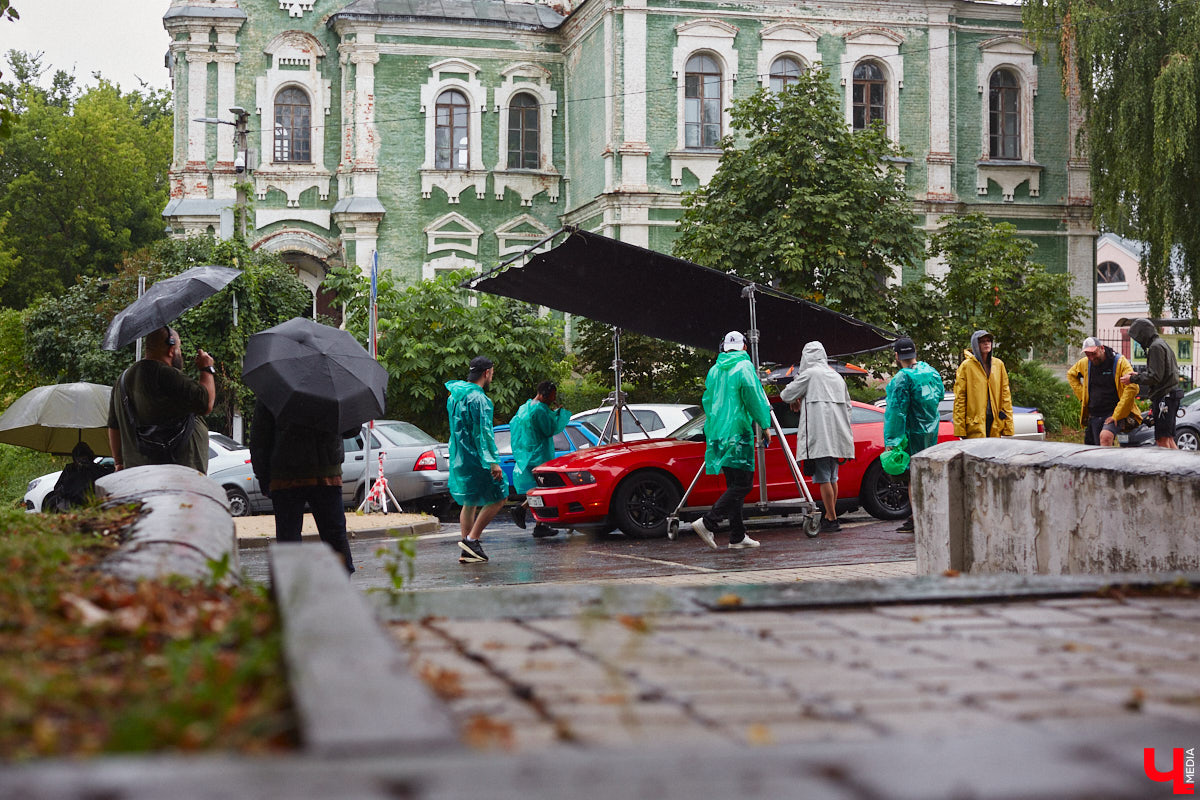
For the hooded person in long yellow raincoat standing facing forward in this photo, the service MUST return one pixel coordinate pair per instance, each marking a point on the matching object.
(983, 405)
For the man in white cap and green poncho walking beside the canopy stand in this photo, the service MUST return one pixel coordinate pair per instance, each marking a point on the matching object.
(734, 404)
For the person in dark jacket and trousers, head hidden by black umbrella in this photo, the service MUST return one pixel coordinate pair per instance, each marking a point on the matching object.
(301, 467)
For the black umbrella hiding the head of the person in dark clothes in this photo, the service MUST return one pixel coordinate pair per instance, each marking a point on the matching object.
(315, 376)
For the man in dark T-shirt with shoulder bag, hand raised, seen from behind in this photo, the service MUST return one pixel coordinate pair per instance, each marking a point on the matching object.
(155, 416)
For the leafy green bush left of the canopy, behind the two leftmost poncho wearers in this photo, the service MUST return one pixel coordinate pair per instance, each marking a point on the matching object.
(429, 334)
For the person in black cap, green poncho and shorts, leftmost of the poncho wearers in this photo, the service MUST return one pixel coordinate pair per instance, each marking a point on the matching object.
(477, 482)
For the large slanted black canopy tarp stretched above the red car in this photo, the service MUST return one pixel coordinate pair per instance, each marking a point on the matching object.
(671, 299)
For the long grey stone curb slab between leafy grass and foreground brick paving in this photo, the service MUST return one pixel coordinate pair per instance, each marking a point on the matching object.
(351, 683)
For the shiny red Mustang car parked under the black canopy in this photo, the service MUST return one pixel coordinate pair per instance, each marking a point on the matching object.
(635, 486)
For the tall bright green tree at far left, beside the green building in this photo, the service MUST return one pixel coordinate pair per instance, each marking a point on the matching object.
(83, 181)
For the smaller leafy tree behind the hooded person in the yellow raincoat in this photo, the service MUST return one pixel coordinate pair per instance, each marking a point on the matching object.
(991, 284)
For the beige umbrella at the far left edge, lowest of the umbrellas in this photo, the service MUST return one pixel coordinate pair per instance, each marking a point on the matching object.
(56, 419)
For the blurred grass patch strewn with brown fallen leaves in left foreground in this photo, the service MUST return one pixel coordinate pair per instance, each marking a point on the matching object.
(93, 665)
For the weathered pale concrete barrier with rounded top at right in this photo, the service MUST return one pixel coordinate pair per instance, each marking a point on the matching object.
(1000, 506)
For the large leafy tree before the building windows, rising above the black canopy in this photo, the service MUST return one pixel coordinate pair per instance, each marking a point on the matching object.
(806, 204)
